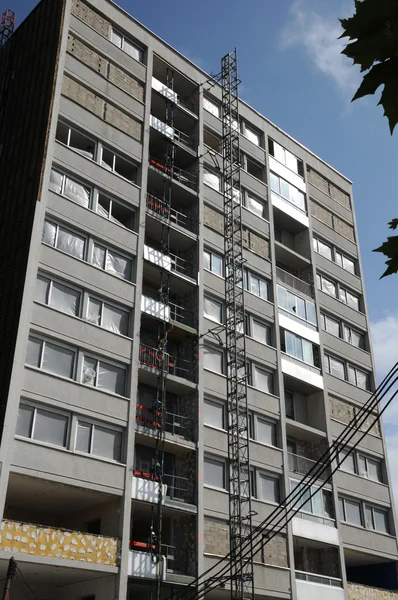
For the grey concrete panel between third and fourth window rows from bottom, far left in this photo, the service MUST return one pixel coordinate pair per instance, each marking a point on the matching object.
(86, 275)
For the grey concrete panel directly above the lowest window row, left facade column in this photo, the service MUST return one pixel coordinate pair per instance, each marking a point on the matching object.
(73, 396)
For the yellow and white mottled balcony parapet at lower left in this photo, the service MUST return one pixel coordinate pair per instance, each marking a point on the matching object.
(38, 540)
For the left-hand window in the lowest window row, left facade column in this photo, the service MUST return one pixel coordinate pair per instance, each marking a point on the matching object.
(38, 423)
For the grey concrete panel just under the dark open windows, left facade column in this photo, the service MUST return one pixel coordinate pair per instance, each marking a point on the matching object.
(91, 171)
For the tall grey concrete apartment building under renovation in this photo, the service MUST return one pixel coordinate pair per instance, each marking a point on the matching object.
(112, 240)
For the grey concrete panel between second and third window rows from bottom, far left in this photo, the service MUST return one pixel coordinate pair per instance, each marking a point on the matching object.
(78, 332)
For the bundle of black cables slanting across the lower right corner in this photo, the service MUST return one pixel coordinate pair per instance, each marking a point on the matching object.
(318, 468)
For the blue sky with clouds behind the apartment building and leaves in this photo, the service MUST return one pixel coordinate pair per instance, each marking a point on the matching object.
(292, 72)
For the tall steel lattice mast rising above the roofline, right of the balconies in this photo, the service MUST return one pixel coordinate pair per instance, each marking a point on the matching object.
(240, 515)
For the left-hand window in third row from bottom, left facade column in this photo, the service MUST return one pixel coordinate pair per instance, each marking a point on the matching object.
(58, 295)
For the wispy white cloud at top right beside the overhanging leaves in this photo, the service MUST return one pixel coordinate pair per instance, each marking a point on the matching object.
(317, 33)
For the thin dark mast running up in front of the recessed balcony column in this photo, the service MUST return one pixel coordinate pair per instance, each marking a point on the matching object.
(159, 407)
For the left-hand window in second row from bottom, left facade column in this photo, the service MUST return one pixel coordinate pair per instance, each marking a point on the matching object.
(51, 357)
